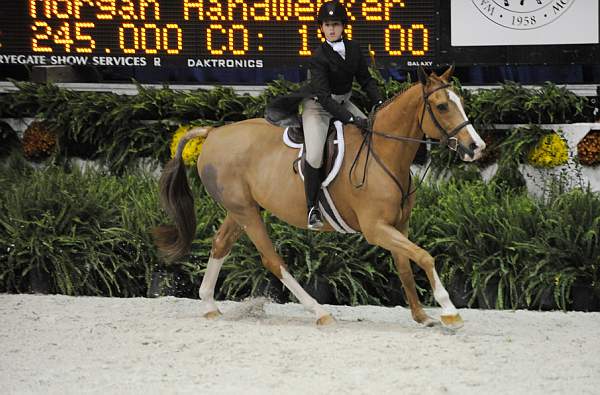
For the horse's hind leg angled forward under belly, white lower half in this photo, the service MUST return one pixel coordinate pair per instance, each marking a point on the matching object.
(255, 228)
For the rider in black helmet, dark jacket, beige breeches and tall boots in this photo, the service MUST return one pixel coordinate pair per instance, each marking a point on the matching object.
(333, 67)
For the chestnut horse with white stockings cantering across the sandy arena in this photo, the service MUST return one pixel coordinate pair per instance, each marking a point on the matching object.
(246, 167)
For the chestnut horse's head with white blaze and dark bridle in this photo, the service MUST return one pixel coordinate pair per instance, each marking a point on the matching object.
(444, 118)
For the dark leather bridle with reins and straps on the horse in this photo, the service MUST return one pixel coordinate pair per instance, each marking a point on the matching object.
(448, 139)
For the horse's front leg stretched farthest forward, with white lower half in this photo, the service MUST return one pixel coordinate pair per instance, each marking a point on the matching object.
(390, 238)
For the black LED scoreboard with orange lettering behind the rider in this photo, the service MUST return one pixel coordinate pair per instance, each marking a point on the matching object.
(206, 33)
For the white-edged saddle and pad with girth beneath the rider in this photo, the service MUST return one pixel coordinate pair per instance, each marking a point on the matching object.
(333, 155)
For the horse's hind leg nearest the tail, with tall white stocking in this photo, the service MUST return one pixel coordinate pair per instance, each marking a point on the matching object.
(226, 236)
